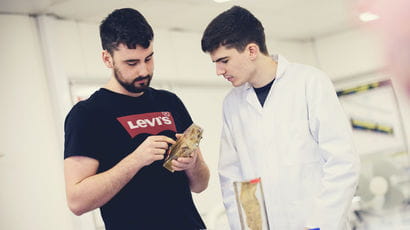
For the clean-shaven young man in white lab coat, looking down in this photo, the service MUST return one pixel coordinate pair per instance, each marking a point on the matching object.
(283, 123)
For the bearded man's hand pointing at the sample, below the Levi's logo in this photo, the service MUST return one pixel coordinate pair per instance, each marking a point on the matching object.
(152, 149)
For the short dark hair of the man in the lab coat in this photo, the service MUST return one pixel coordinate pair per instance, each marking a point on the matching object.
(234, 28)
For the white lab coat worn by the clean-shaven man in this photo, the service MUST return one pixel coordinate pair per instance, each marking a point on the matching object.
(299, 143)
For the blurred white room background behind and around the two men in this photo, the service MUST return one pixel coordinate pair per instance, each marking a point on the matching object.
(51, 58)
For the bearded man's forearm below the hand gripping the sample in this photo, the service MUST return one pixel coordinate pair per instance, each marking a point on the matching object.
(198, 175)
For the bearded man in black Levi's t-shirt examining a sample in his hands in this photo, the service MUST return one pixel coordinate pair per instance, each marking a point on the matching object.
(116, 140)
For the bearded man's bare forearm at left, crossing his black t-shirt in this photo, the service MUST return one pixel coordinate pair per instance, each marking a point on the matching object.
(95, 191)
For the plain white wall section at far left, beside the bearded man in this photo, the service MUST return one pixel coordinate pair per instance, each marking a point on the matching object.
(31, 174)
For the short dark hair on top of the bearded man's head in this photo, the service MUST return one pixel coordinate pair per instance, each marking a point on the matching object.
(125, 26)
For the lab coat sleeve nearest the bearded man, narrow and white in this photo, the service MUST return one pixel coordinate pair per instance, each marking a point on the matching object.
(228, 168)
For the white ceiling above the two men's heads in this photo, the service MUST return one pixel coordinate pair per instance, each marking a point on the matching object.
(282, 19)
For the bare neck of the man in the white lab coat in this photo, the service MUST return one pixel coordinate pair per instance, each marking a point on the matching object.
(265, 71)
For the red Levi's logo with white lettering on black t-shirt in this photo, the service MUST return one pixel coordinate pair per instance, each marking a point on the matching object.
(152, 123)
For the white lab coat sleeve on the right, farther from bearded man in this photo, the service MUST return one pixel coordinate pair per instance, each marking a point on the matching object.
(332, 132)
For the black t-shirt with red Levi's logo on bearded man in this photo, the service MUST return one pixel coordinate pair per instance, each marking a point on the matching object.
(107, 127)
